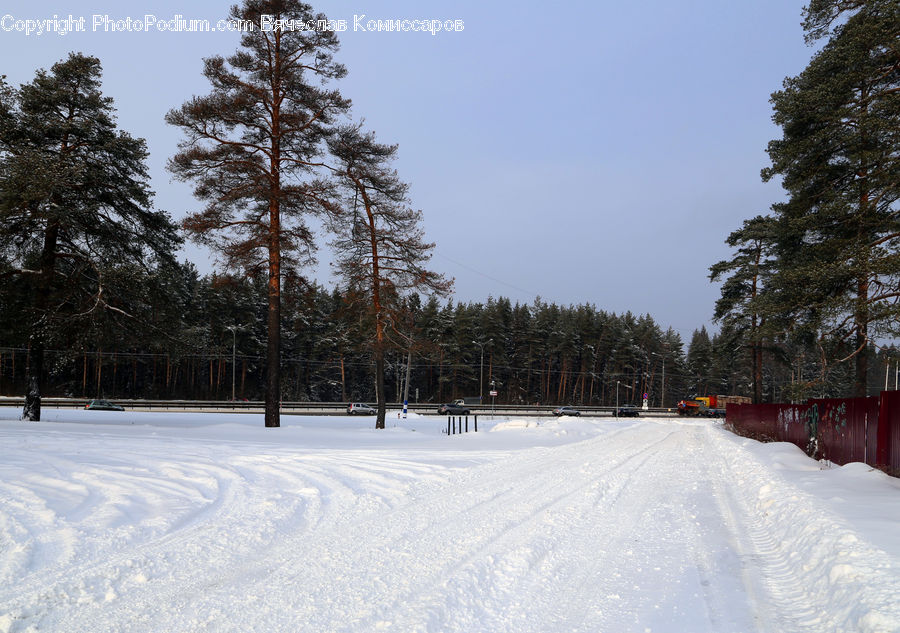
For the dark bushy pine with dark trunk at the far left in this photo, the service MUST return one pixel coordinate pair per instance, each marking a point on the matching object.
(75, 205)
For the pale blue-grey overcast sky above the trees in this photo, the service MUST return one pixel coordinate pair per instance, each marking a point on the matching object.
(590, 152)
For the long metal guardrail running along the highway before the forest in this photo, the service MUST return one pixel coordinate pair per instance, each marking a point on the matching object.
(317, 408)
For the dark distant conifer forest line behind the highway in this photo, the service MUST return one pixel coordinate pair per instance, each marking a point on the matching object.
(190, 327)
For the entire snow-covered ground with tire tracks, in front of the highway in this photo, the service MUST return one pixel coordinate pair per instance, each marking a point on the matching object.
(174, 522)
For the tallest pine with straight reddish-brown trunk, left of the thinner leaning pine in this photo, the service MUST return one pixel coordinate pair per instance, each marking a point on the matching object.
(254, 149)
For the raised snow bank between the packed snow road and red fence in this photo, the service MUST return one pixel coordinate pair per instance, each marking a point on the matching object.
(831, 531)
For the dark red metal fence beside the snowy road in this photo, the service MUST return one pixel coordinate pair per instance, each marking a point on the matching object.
(842, 430)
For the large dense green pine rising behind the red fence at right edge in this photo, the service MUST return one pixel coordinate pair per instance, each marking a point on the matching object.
(838, 234)
